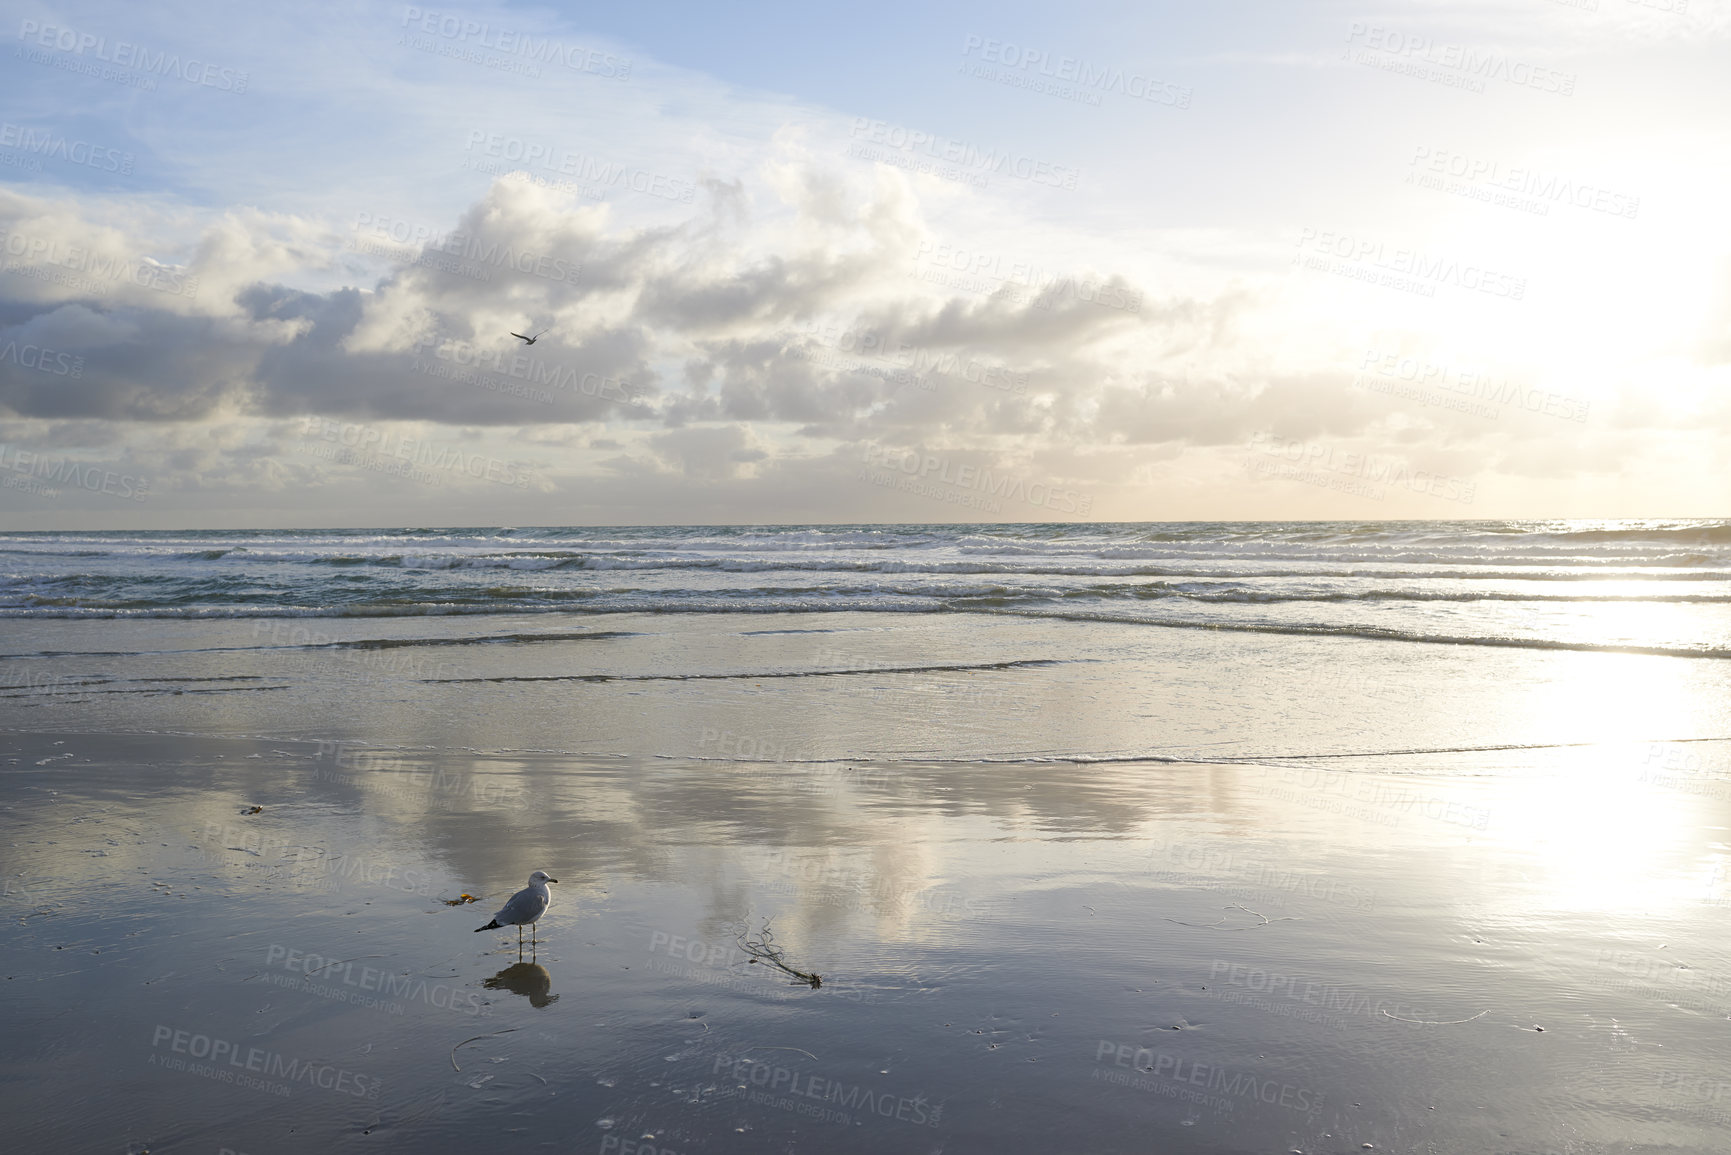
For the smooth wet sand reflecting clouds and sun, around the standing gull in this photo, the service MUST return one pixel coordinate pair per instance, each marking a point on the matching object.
(1116, 957)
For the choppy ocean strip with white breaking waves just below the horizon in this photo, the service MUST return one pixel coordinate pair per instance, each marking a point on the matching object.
(1616, 586)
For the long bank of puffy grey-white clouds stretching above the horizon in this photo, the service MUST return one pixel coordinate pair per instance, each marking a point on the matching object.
(749, 349)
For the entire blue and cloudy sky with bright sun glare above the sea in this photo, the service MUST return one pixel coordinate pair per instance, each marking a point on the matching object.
(967, 262)
